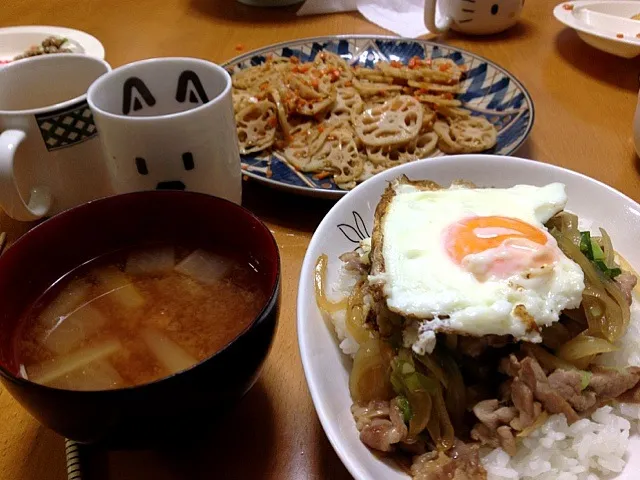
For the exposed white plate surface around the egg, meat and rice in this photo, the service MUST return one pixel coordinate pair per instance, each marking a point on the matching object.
(351, 219)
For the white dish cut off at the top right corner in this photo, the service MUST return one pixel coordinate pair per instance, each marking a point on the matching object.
(605, 25)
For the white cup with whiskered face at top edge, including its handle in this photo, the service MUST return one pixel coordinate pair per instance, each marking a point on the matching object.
(478, 17)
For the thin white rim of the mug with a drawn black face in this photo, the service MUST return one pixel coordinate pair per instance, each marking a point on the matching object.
(132, 67)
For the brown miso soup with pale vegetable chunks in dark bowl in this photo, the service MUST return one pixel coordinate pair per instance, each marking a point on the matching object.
(135, 316)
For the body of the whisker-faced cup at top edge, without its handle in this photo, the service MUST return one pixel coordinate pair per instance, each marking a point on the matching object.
(484, 16)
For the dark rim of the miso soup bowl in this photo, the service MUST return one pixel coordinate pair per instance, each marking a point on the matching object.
(269, 304)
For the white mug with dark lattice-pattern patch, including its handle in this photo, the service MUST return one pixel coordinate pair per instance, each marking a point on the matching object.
(50, 156)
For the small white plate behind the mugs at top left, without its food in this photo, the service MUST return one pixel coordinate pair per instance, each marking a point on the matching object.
(16, 40)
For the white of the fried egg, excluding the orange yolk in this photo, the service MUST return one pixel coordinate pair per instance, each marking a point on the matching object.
(421, 281)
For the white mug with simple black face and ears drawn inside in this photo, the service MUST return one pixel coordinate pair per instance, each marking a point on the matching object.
(168, 123)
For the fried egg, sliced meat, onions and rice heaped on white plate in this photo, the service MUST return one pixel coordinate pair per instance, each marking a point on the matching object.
(491, 338)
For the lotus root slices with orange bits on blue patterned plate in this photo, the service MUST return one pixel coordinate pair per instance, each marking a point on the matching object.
(348, 123)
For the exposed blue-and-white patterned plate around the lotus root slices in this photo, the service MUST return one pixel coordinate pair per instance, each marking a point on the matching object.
(487, 90)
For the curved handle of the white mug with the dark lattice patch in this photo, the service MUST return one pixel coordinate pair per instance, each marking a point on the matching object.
(10, 198)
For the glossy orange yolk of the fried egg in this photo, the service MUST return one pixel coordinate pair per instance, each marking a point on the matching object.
(478, 234)
